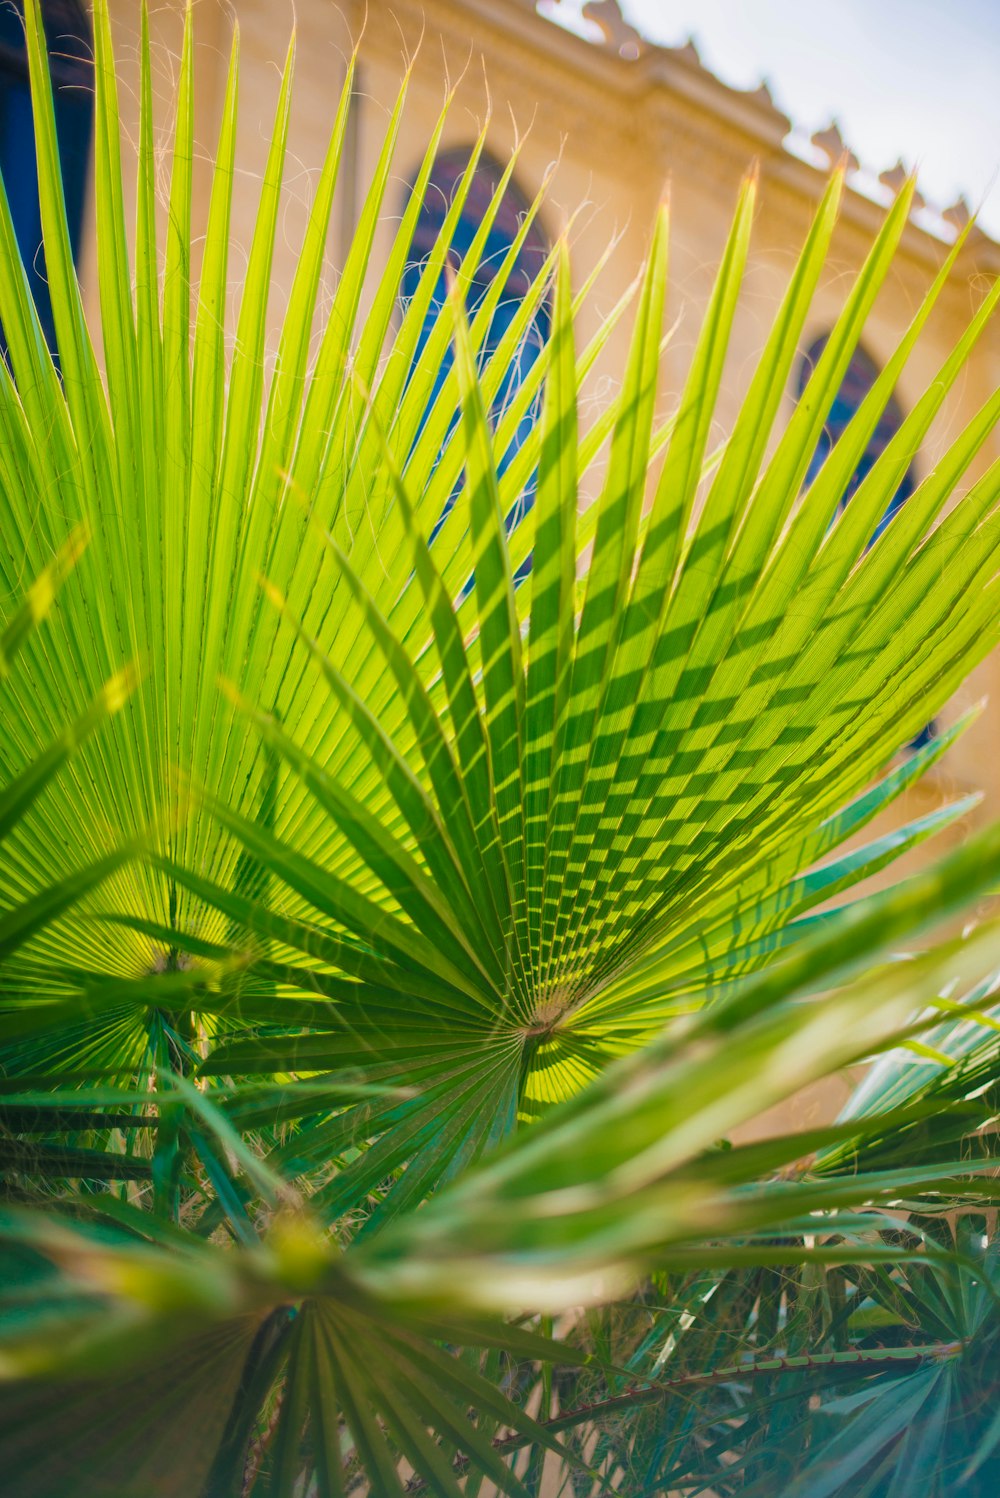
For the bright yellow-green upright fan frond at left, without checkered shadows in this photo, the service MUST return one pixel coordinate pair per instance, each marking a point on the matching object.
(189, 470)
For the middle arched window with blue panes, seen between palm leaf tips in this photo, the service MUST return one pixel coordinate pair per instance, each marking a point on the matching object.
(445, 178)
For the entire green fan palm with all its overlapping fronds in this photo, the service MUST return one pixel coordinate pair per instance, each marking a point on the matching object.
(418, 1010)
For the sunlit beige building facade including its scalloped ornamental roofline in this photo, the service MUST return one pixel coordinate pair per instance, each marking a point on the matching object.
(604, 125)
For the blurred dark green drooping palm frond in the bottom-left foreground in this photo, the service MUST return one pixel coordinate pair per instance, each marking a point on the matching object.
(131, 1400)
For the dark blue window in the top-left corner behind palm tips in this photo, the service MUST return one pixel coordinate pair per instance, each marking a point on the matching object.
(71, 52)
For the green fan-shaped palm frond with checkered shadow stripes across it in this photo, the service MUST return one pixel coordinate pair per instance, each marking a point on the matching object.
(610, 796)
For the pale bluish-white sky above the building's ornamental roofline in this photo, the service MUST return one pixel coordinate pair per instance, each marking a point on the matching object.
(912, 79)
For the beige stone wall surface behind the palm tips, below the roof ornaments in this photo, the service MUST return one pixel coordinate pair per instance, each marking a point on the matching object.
(619, 133)
